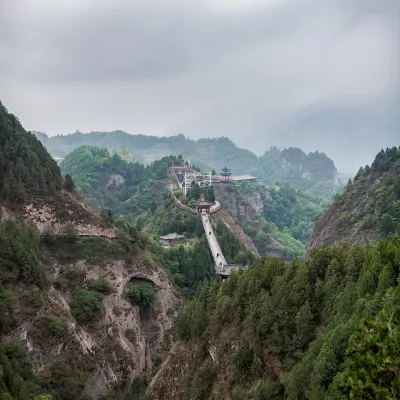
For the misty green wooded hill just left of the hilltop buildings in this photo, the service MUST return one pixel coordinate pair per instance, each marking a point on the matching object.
(111, 181)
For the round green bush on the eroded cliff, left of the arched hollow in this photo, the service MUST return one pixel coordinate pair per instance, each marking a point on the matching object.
(86, 306)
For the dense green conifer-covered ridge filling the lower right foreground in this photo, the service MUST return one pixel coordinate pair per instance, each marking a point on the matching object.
(327, 328)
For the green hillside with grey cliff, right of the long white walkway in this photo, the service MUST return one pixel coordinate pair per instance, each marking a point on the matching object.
(279, 219)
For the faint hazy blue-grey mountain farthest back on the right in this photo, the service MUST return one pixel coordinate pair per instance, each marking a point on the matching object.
(351, 129)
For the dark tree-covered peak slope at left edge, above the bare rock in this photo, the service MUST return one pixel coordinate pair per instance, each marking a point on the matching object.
(25, 165)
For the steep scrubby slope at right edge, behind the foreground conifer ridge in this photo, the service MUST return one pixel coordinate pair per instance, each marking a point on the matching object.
(368, 209)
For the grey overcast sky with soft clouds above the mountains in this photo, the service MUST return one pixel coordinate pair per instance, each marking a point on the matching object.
(200, 67)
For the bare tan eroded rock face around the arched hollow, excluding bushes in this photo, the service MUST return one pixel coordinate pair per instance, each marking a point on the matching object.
(124, 343)
